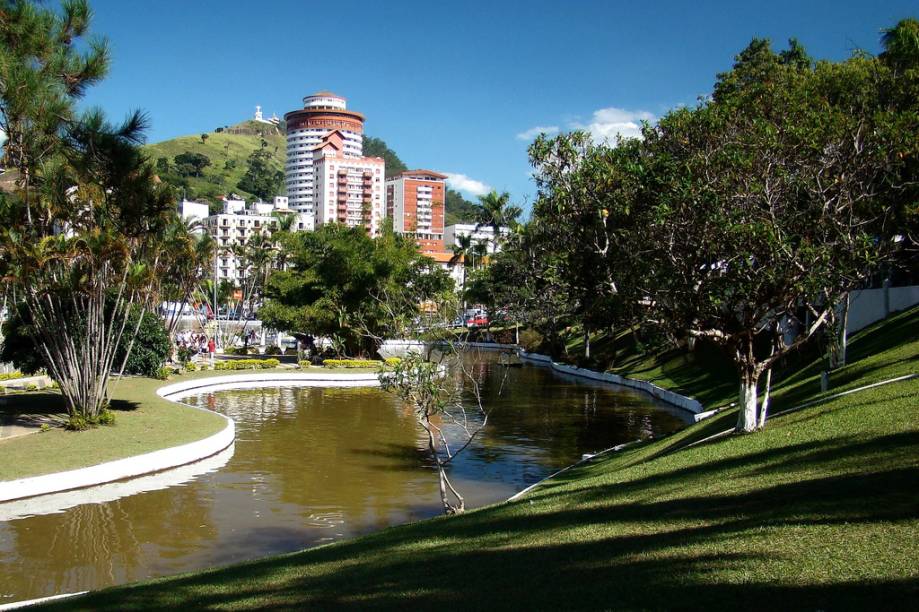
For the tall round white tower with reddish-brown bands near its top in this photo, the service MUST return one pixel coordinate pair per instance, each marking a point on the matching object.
(322, 113)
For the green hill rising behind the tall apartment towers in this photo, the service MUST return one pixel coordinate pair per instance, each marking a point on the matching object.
(228, 150)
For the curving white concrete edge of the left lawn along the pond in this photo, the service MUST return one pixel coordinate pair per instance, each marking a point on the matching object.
(175, 456)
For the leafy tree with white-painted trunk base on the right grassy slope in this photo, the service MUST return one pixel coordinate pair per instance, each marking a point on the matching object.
(765, 204)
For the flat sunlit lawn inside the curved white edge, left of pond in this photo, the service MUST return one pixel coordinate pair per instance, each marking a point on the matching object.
(144, 422)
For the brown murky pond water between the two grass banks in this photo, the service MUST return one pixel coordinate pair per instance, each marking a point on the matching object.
(310, 466)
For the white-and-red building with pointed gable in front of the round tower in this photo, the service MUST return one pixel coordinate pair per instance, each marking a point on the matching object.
(347, 189)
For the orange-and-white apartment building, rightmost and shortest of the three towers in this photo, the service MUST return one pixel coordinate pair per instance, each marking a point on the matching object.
(415, 201)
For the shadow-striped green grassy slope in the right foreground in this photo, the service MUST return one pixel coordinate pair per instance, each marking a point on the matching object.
(817, 512)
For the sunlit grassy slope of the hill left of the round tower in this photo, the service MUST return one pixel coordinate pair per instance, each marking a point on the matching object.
(217, 180)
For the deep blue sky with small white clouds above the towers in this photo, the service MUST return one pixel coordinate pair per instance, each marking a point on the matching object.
(454, 87)
